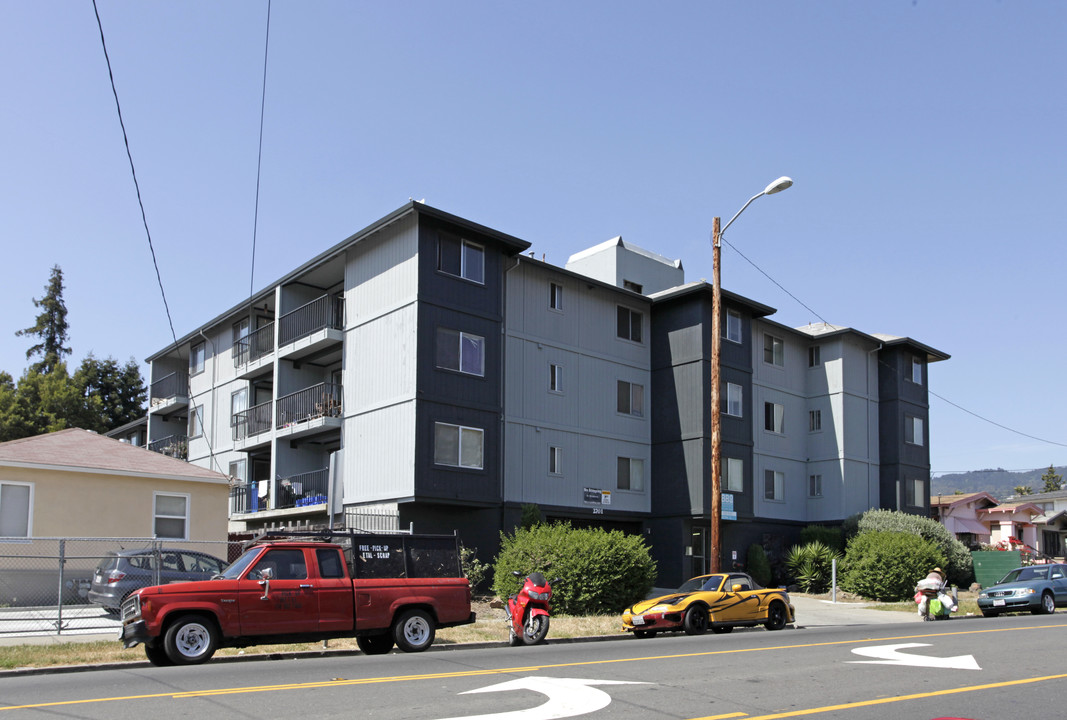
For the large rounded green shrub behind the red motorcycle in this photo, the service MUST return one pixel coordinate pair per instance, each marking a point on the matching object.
(599, 572)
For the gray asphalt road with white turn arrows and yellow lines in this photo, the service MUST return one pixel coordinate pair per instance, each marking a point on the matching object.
(977, 668)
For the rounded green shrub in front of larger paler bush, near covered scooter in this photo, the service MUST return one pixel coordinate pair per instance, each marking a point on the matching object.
(887, 566)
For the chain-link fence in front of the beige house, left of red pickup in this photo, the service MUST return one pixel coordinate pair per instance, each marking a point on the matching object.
(57, 586)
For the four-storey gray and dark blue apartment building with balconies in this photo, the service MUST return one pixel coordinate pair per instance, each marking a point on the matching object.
(426, 372)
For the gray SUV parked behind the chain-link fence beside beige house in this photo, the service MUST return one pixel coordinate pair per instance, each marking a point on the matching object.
(121, 573)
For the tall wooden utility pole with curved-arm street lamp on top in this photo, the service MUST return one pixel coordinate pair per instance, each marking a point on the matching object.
(716, 551)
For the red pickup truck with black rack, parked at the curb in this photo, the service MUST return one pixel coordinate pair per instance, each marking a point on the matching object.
(379, 589)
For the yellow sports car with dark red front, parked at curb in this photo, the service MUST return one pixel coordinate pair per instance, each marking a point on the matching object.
(723, 602)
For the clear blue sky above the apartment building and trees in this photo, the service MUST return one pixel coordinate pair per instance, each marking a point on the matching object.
(927, 141)
